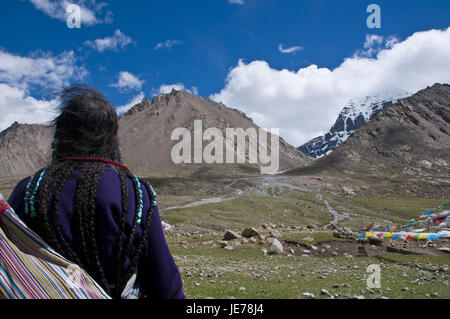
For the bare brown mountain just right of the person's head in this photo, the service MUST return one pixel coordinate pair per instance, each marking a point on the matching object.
(145, 135)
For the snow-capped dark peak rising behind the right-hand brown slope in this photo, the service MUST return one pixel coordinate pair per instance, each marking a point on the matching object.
(355, 114)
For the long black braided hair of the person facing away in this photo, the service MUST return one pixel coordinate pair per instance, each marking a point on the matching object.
(87, 128)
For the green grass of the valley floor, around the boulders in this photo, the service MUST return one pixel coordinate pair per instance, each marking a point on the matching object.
(245, 272)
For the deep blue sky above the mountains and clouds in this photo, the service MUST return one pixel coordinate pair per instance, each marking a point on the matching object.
(196, 44)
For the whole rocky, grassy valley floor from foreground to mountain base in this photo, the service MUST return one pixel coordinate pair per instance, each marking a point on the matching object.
(268, 238)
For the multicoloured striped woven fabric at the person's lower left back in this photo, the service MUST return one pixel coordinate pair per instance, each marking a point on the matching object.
(30, 269)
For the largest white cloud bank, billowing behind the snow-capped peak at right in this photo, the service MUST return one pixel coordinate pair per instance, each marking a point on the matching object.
(305, 103)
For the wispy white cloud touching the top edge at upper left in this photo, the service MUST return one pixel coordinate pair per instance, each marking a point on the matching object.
(90, 10)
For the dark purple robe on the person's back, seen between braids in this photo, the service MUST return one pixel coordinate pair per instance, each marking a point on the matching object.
(158, 275)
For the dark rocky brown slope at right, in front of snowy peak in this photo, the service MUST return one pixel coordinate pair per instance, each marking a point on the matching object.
(411, 137)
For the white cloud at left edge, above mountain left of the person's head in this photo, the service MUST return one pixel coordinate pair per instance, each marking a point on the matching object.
(19, 75)
